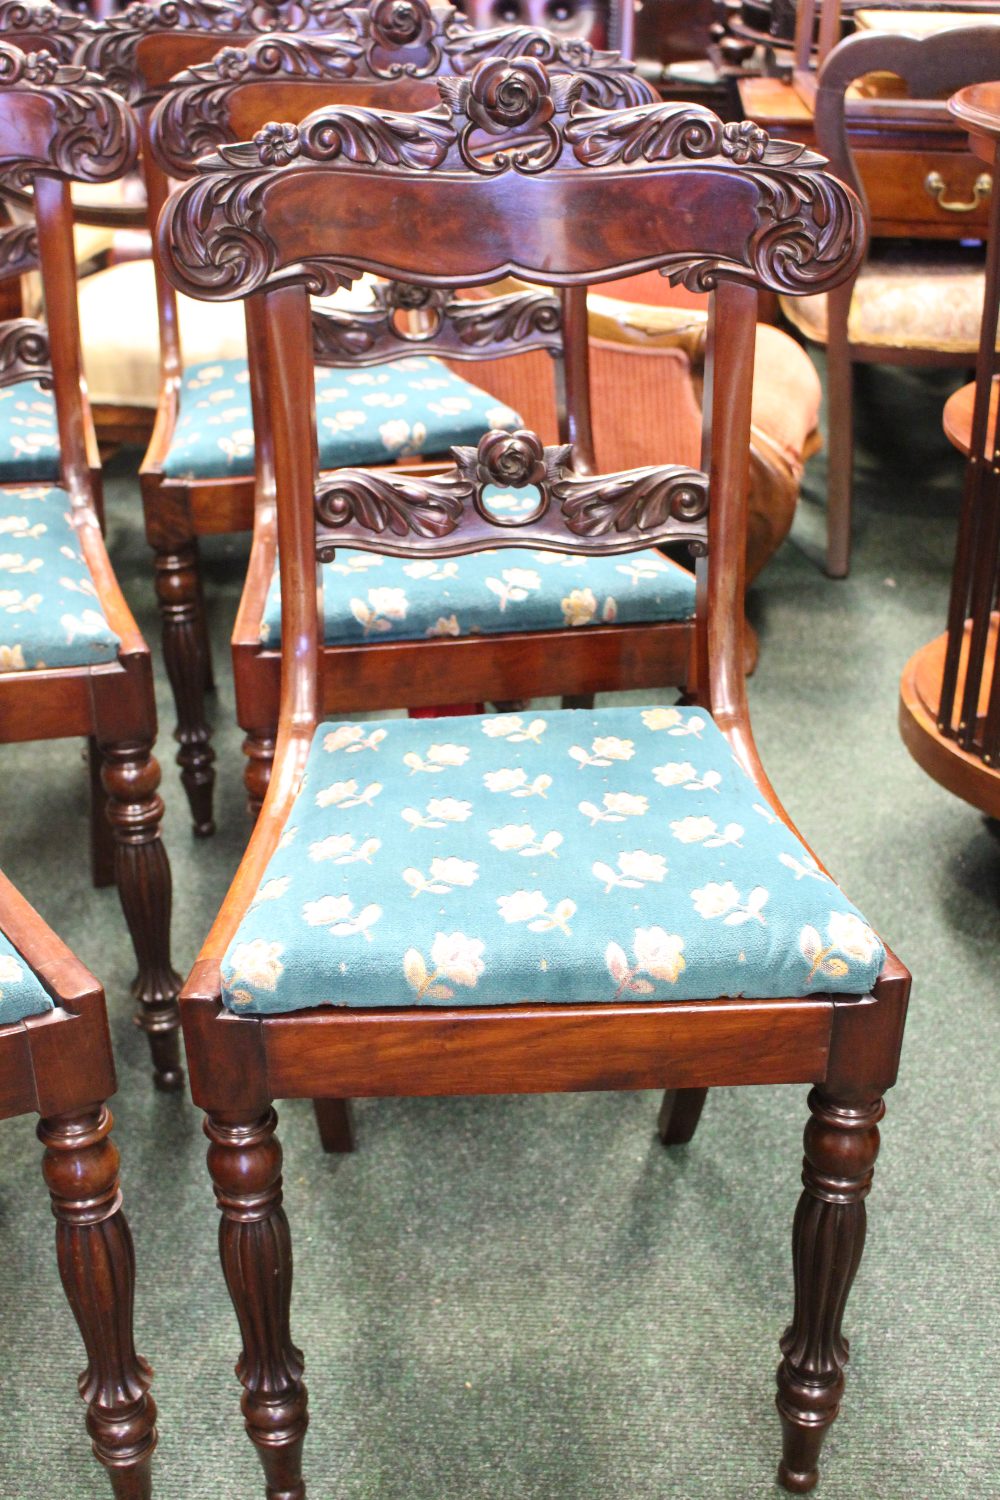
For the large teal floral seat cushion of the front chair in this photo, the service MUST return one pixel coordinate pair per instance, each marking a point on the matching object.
(557, 857)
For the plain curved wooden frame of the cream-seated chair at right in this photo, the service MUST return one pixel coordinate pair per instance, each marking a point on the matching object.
(932, 67)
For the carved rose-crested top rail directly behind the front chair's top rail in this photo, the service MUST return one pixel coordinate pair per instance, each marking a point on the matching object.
(410, 41)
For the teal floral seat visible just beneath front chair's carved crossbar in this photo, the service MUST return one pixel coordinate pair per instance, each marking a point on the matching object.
(373, 598)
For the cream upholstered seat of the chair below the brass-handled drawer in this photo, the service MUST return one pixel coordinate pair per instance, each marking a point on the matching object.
(908, 298)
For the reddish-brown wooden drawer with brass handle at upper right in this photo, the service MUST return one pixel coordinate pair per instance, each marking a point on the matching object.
(902, 205)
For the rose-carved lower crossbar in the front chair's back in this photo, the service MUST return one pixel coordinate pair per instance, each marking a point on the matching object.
(452, 514)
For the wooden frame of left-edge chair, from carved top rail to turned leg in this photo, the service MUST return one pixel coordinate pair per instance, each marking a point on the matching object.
(65, 128)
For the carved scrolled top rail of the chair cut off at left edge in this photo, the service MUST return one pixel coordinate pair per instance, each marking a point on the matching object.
(58, 118)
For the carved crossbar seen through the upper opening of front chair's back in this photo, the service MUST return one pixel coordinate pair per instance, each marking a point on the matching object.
(458, 328)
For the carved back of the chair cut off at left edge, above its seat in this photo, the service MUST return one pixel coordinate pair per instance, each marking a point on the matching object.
(58, 127)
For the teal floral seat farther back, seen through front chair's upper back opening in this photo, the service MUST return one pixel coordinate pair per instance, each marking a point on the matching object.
(373, 416)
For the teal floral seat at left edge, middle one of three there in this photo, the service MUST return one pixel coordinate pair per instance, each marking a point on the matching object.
(50, 613)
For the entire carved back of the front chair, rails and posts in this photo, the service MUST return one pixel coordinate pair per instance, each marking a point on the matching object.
(455, 197)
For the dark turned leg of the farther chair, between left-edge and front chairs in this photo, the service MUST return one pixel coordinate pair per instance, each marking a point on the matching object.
(185, 640)
